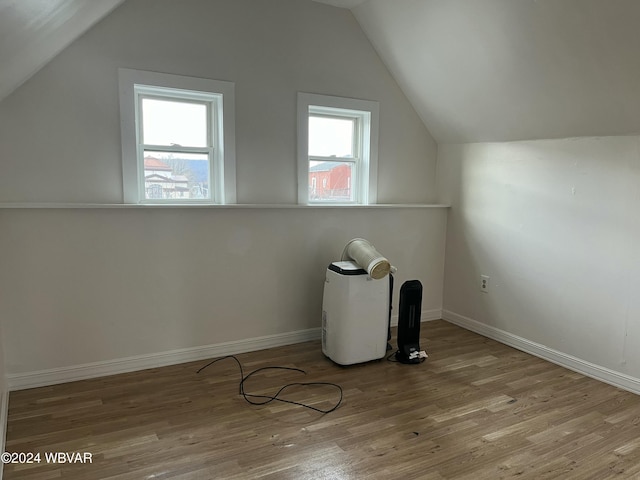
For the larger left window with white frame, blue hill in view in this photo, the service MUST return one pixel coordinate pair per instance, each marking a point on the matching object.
(178, 139)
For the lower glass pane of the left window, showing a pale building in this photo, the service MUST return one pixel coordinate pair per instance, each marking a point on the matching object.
(176, 176)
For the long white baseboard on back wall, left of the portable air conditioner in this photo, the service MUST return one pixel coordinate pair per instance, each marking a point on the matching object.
(20, 381)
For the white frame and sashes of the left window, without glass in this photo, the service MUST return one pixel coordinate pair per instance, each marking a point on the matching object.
(134, 84)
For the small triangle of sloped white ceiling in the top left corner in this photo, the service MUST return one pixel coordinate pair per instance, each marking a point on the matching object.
(32, 32)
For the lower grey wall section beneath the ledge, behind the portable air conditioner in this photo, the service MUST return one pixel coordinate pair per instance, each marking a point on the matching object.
(93, 285)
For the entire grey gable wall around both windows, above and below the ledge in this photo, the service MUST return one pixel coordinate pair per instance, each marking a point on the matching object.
(83, 285)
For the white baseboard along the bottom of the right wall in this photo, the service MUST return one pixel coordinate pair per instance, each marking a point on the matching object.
(620, 380)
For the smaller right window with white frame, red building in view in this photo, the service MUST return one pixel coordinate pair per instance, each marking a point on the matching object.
(337, 150)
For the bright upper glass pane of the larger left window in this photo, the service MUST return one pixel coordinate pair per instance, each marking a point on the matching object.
(167, 122)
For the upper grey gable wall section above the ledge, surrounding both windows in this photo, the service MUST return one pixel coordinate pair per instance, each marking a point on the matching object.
(60, 132)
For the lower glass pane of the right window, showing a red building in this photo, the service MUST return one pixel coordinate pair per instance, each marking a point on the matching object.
(331, 181)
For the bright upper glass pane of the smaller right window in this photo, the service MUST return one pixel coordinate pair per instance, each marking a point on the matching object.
(329, 136)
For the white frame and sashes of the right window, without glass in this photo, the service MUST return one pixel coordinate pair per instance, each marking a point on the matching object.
(366, 115)
